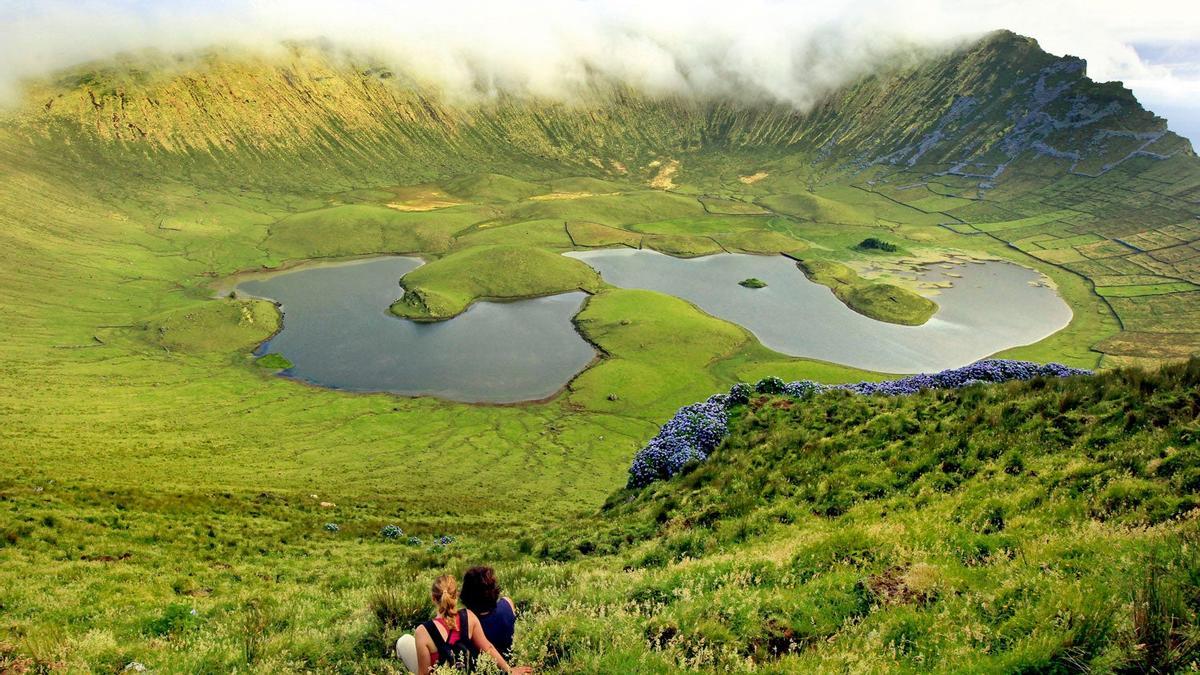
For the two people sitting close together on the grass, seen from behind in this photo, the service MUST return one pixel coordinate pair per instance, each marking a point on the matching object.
(455, 637)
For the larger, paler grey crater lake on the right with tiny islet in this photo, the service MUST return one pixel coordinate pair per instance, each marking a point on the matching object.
(989, 308)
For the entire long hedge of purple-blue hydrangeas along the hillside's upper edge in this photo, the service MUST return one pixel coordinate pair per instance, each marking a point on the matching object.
(698, 429)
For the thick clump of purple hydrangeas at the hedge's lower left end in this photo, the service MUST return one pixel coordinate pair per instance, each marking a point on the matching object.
(687, 438)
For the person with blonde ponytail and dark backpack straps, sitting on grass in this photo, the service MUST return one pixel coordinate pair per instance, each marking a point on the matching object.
(452, 637)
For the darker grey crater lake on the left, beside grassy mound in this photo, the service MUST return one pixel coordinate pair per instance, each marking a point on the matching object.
(339, 333)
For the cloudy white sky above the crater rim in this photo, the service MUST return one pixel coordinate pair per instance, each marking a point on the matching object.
(791, 51)
